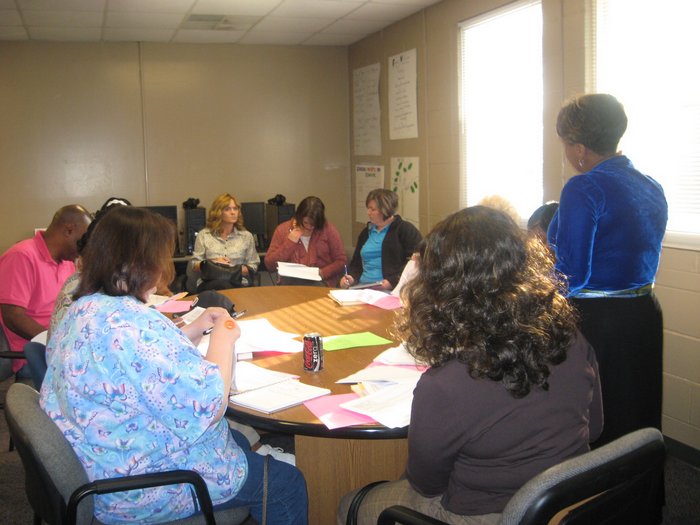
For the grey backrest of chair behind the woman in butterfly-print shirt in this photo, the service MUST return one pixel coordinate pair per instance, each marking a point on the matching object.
(52, 470)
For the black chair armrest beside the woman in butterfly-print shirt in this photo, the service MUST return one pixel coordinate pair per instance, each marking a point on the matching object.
(143, 481)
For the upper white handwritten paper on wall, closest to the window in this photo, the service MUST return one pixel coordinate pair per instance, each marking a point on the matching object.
(403, 113)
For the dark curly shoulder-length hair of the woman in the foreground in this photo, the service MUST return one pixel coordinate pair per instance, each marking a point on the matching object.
(486, 294)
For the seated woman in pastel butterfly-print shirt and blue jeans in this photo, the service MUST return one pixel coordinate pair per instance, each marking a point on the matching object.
(133, 395)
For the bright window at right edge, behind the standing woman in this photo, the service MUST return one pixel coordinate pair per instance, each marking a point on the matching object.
(645, 54)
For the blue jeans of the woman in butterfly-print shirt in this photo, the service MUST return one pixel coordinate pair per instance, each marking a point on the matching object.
(287, 500)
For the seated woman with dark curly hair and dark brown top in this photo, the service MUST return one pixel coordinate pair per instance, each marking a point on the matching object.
(513, 387)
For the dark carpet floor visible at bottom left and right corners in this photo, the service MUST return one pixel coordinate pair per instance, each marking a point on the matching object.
(682, 485)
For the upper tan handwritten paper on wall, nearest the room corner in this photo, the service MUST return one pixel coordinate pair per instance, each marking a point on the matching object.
(365, 115)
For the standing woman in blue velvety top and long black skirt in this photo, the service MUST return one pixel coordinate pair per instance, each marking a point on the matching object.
(607, 238)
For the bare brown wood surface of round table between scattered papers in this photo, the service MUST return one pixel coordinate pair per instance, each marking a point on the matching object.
(304, 309)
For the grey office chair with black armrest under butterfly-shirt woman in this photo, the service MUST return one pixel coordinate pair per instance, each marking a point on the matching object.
(56, 482)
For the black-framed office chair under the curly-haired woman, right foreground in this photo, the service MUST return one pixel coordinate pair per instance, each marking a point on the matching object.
(617, 483)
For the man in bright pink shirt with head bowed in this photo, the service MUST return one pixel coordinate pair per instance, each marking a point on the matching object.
(32, 273)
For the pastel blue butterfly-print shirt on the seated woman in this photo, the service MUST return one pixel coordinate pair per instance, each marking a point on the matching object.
(132, 395)
